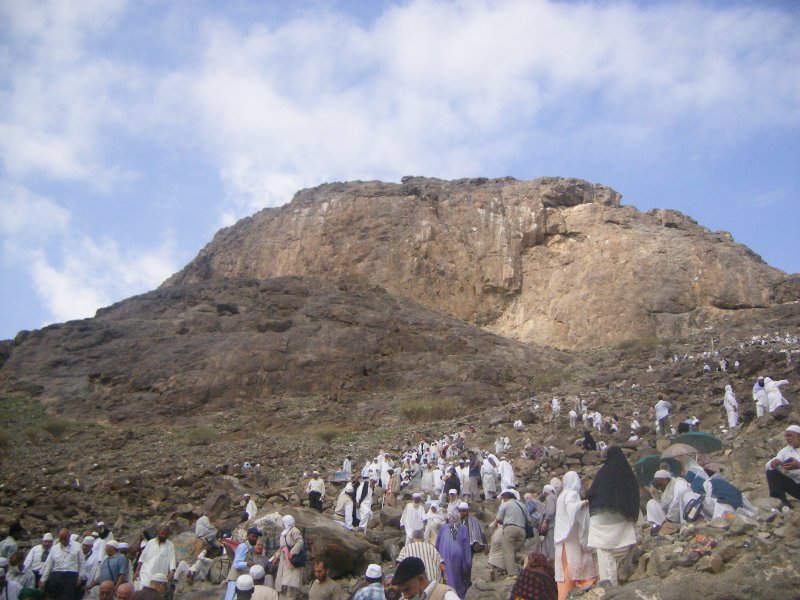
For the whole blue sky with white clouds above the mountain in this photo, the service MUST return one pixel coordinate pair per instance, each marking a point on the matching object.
(131, 131)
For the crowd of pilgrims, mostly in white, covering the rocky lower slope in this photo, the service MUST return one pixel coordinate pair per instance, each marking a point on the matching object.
(573, 537)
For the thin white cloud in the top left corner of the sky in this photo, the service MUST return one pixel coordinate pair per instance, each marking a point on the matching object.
(59, 98)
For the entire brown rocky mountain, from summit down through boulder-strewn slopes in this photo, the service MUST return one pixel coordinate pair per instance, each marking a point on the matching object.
(365, 316)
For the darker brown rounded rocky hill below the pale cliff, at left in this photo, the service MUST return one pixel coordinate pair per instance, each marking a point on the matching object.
(213, 345)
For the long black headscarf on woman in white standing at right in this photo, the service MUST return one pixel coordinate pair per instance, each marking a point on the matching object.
(615, 488)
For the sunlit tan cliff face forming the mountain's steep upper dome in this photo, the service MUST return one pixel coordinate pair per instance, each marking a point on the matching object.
(555, 262)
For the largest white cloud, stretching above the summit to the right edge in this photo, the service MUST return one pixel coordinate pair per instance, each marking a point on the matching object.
(453, 88)
